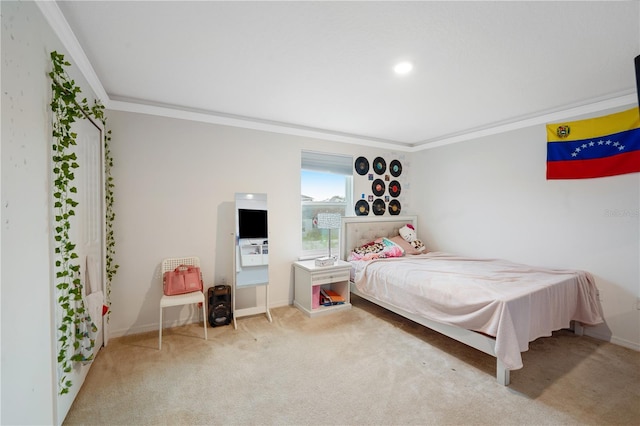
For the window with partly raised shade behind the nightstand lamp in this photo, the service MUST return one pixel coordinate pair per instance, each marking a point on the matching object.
(326, 187)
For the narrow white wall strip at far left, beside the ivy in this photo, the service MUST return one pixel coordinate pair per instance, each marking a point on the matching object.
(28, 346)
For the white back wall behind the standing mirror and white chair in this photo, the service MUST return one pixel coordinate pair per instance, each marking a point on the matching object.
(175, 186)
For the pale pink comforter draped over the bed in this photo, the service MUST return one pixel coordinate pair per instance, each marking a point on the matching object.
(514, 303)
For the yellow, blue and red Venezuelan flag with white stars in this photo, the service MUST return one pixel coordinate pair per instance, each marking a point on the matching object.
(596, 147)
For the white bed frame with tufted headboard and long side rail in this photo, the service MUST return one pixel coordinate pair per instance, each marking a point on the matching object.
(360, 230)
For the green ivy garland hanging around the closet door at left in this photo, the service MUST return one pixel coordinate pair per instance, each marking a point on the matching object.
(77, 331)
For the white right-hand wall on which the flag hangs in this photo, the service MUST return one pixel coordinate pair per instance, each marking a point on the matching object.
(489, 197)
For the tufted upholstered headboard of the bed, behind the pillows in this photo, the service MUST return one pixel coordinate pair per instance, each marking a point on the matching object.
(359, 230)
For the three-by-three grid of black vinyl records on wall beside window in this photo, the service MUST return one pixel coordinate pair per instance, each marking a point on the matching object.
(384, 184)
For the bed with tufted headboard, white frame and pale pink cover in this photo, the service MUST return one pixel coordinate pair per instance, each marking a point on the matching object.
(493, 305)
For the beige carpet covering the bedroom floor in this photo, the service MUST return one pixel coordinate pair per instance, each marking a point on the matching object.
(363, 366)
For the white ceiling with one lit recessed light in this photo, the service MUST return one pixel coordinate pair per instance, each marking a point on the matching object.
(325, 68)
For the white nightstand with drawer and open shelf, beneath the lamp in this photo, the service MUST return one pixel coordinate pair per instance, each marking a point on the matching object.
(309, 279)
